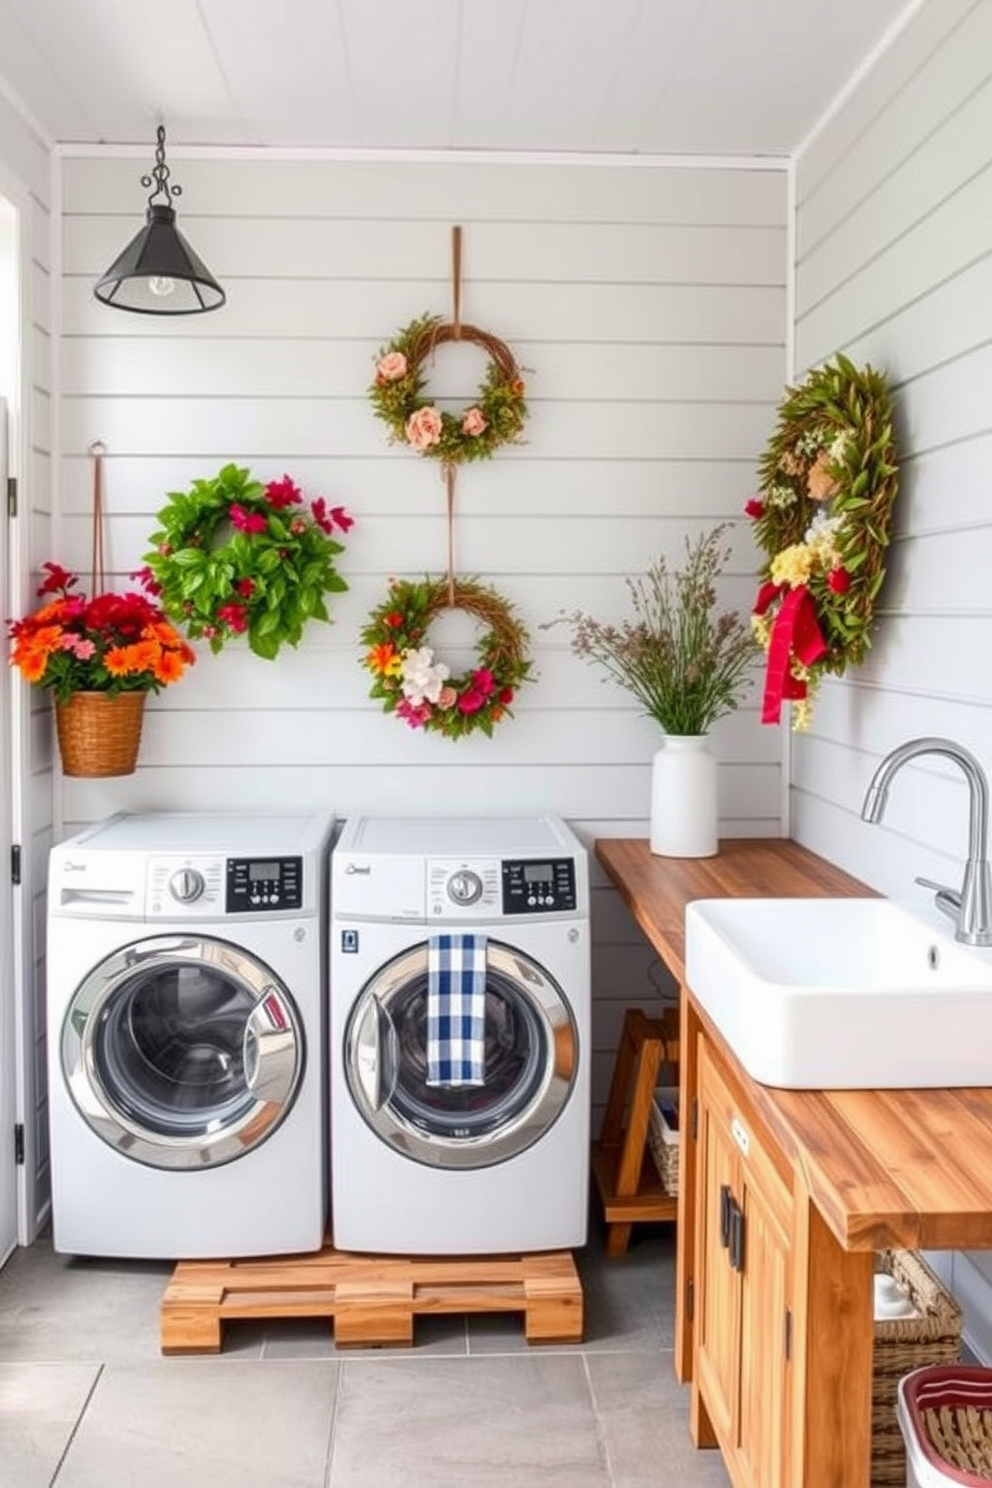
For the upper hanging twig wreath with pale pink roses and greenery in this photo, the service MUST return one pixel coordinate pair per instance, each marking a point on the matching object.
(496, 419)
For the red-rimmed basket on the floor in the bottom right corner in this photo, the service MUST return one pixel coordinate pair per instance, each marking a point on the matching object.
(945, 1414)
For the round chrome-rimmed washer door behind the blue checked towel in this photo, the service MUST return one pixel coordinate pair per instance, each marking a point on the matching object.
(532, 1062)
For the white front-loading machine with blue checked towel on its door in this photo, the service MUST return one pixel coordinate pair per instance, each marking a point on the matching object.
(497, 1166)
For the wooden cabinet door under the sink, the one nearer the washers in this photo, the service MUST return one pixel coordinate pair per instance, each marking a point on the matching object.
(718, 1283)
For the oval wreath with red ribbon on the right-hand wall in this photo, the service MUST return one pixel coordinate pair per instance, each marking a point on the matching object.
(823, 516)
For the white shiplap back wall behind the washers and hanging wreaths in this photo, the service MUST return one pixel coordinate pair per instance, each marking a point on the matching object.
(649, 303)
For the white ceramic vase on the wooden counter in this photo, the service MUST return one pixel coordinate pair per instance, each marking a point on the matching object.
(685, 798)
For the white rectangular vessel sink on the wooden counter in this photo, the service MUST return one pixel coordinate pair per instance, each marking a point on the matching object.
(843, 993)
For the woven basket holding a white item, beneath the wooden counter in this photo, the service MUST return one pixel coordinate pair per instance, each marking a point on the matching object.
(904, 1344)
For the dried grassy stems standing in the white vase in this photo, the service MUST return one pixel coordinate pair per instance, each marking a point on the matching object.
(680, 657)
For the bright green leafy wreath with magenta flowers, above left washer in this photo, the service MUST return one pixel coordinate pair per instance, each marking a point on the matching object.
(234, 557)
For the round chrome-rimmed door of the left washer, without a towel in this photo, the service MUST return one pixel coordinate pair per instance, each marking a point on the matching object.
(182, 1051)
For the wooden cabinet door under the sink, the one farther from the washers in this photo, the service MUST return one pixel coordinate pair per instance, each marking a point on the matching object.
(764, 1425)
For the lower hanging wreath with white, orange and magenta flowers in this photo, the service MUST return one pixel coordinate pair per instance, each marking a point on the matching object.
(423, 691)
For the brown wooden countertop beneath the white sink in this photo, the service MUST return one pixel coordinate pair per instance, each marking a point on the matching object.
(904, 1169)
